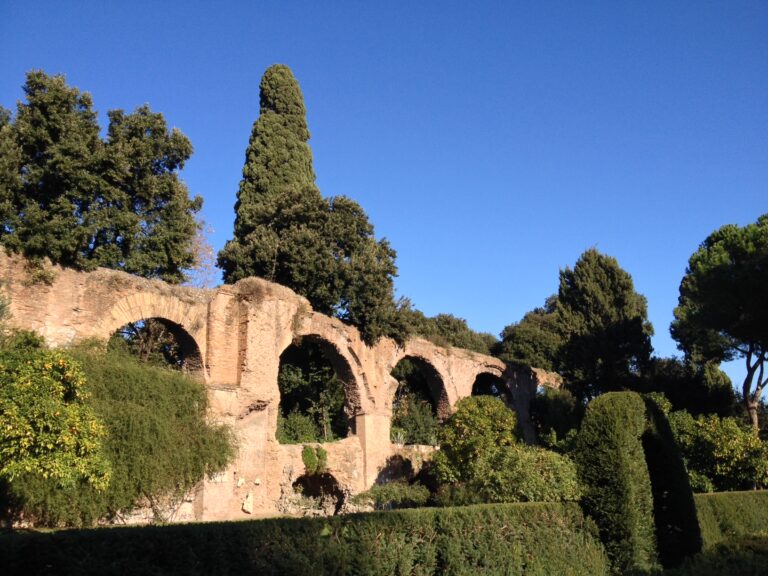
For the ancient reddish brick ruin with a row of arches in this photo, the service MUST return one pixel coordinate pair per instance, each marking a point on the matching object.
(233, 337)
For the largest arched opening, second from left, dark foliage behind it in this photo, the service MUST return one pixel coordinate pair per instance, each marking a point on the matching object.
(318, 395)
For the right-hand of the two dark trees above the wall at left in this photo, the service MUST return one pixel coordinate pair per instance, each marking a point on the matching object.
(150, 227)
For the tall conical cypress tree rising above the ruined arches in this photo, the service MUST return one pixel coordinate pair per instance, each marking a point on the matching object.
(280, 213)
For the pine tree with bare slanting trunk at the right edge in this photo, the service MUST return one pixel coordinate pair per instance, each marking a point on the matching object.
(721, 313)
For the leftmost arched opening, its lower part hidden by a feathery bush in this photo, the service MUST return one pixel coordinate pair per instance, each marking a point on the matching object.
(161, 342)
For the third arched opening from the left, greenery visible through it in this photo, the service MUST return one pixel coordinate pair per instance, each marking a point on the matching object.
(420, 402)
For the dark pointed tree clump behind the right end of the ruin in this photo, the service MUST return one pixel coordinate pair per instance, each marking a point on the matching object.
(595, 332)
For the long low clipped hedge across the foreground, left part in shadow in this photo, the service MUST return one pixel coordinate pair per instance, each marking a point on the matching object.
(532, 539)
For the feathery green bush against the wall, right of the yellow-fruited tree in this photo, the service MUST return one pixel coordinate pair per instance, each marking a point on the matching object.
(157, 442)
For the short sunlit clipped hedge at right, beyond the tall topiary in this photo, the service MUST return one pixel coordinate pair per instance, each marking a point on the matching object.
(726, 516)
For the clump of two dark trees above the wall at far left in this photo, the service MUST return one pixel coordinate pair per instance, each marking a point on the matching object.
(81, 201)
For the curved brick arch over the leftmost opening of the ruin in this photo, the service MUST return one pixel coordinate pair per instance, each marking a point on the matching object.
(187, 323)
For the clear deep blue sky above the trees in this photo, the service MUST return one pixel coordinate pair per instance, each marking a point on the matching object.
(491, 142)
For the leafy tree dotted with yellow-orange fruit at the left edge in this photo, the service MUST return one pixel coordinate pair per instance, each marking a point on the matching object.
(50, 433)
